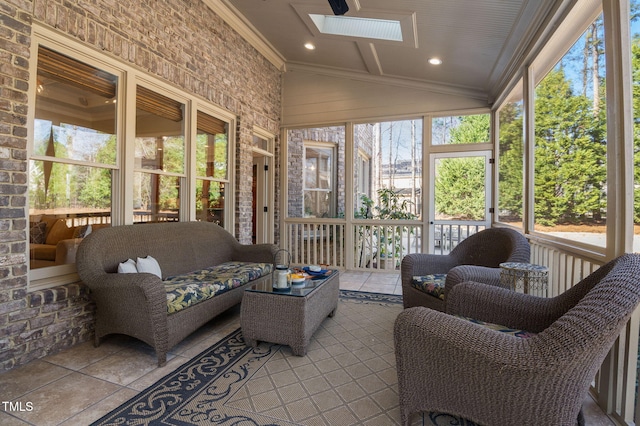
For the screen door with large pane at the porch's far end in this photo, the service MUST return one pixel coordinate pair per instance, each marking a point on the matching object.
(460, 194)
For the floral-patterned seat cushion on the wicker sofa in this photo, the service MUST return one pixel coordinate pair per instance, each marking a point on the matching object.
(188, 289)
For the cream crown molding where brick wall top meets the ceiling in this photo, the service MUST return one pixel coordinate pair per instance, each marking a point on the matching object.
(235, 20)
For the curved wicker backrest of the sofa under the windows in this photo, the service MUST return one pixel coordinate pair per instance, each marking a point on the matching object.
(178, 247)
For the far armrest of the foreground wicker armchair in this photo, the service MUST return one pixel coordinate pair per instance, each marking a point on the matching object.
(503, 306)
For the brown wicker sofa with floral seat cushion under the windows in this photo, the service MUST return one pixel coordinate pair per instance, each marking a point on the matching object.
(204, 272)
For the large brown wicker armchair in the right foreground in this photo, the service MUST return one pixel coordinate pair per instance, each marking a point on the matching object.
(448, 364)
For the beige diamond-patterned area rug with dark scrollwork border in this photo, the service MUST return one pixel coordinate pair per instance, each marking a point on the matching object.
(348, 377)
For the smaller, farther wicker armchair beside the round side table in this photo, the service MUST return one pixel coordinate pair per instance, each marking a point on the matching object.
(476, 258)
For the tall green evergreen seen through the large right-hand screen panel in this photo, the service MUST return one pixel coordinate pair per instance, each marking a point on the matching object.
(570, 150)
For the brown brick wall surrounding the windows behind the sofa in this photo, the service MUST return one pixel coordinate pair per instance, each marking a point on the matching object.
(179, 41)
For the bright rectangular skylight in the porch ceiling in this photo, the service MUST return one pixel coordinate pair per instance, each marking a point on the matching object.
(381, 29)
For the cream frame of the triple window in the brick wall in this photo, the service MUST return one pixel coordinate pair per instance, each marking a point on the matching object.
(124, 168)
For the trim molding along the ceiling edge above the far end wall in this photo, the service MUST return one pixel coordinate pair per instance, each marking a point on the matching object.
(446, 89)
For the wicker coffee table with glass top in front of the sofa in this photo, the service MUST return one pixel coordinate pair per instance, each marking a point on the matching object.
(288, 317)
